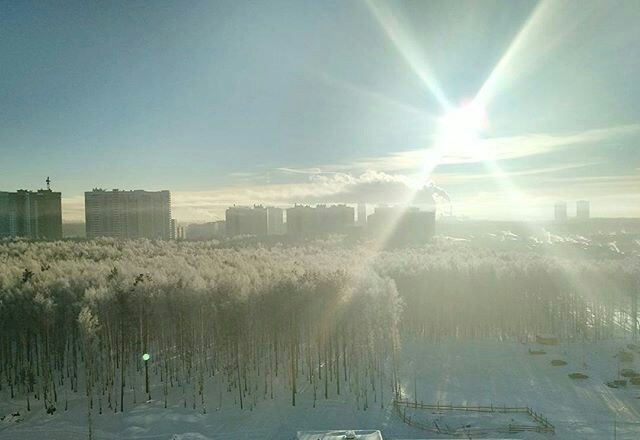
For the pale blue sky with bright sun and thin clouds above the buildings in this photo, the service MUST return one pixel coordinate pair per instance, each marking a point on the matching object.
(287, 102)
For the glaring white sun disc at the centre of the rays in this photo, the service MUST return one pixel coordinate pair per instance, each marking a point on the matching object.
(459, 132)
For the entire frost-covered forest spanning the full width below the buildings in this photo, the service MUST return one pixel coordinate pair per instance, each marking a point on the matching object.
(125, 322)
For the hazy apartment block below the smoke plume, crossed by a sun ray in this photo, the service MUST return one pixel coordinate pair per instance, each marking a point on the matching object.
(402, 226)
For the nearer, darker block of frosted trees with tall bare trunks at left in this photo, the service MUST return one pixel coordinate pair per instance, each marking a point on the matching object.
(127, 322)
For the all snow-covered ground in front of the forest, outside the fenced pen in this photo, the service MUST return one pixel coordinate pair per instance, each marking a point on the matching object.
(473, 373)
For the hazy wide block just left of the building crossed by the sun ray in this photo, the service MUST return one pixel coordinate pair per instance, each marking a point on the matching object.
(306, 220)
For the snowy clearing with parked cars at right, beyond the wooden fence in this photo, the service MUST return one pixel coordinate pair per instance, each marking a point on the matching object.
(484, 373)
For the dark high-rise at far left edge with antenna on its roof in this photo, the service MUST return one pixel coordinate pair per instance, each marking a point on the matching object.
(31, 214)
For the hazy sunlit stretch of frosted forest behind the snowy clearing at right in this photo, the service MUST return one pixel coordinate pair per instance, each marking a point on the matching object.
(461, 292)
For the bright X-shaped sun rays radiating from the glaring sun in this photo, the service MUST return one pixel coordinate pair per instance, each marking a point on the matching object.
(460, 128)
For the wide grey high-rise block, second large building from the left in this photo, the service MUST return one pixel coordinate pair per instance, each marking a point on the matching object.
(128, 214)
